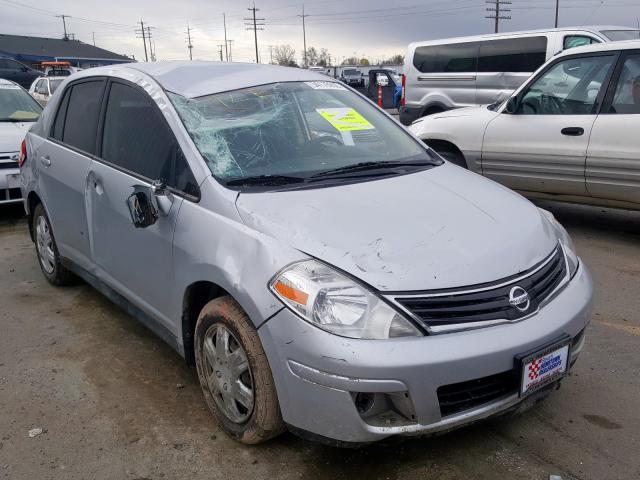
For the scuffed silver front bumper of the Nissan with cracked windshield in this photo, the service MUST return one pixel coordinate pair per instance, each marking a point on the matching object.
(318, 374)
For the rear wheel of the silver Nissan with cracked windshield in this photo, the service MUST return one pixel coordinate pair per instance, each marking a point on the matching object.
(47, 250)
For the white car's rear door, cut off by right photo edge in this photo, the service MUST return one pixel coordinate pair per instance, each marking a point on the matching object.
(613, 158)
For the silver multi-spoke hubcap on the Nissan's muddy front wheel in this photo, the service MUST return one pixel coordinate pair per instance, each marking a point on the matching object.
(228, 373)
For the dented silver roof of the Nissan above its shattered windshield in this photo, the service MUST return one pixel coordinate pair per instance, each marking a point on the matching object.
(198, 78)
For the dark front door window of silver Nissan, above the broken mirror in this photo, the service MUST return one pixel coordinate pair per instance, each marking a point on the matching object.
(137, 139)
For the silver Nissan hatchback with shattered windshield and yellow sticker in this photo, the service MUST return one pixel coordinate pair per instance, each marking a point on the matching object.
(323, 269)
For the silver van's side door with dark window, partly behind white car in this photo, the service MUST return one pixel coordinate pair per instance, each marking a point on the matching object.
(504, 64)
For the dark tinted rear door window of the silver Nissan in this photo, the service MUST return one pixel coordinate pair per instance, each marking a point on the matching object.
(82, 115)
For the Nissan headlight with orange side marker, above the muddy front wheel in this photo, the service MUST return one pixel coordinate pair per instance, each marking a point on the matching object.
(335, 303)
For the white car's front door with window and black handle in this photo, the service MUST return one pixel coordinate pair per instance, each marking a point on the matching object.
(542, 146)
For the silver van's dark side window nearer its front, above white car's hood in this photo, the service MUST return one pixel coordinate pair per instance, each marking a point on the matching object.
(512, 55)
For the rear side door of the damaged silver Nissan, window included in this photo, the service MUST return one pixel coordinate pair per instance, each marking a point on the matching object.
(63, 163)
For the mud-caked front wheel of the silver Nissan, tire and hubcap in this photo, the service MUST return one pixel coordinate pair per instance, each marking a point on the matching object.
(227, 370)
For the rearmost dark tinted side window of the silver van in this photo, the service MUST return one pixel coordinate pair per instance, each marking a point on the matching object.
(451, 58)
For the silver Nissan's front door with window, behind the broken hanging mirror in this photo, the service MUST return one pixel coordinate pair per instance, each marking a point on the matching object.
(137, 147)
